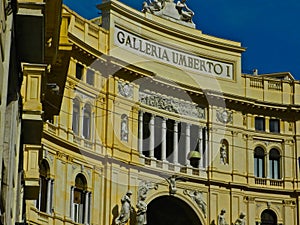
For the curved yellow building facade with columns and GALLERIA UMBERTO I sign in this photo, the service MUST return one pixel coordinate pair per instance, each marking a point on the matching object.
(156, 109)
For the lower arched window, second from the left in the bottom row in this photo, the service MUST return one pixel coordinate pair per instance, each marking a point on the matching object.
(80, 201)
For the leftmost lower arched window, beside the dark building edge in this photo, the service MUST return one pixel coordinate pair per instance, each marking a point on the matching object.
(44, 202)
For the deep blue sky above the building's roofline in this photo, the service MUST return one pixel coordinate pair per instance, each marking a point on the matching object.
(269, 29)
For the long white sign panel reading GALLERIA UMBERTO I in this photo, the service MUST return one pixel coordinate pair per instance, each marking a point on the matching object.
(171, 56)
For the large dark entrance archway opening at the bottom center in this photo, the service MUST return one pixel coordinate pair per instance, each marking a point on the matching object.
(169, 210)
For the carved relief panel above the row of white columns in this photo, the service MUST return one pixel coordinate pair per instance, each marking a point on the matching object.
(171, 104)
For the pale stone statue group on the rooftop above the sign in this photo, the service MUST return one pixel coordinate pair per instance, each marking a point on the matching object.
(177, 12)
